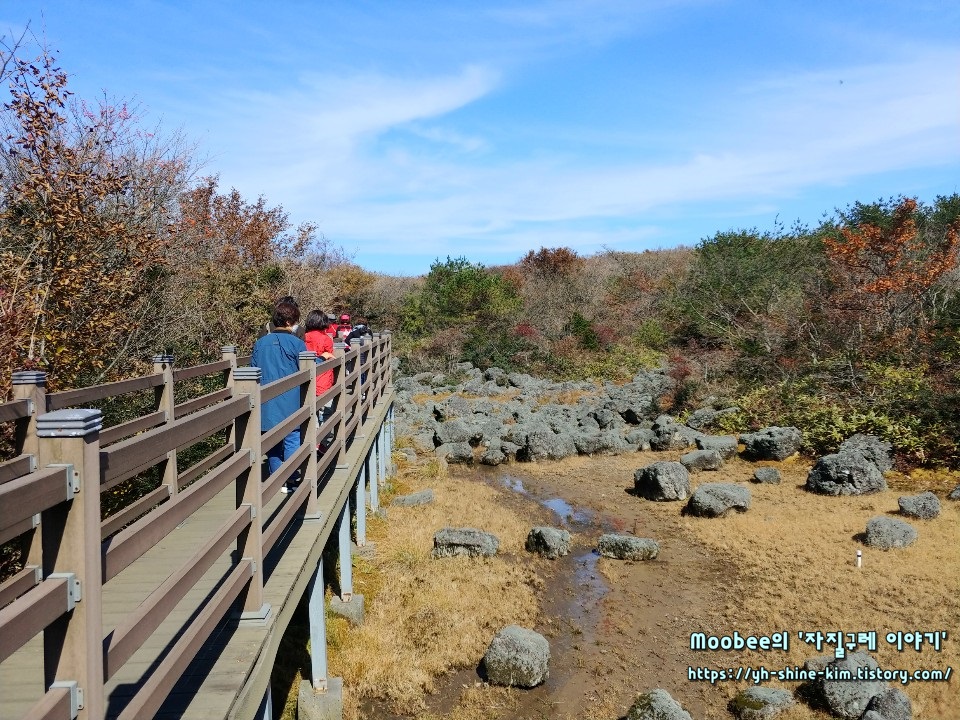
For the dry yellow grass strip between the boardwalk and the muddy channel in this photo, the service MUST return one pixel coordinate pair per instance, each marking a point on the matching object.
(426, 617)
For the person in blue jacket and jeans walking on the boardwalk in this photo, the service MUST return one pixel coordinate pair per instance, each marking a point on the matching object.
(277, 355)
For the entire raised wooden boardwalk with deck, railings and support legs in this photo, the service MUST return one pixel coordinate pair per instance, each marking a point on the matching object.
(139, 615)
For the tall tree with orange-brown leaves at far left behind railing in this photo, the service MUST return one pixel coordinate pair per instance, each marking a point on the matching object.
(85, 218)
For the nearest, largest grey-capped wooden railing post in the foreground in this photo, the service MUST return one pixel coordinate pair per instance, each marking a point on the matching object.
(73, 644)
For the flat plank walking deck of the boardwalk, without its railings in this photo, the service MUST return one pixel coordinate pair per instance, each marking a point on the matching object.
(231, 670)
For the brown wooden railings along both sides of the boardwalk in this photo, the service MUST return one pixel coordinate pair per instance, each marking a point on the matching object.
(50, 499)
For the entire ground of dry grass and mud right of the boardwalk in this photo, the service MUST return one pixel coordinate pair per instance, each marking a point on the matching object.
(786, 565)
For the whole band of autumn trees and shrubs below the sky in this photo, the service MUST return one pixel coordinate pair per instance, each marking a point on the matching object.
(114, 247)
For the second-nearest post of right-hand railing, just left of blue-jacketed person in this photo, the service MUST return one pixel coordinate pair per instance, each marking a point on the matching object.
(249, 492)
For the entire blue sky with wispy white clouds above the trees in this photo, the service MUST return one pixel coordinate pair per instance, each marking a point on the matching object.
(410, 131)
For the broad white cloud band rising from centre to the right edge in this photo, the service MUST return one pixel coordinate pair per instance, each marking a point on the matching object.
(771, 138)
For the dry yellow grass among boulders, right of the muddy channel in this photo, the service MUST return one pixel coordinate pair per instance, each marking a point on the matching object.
(792, 567)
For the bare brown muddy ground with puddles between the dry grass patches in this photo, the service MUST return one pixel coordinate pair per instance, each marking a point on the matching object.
(615, 628)
